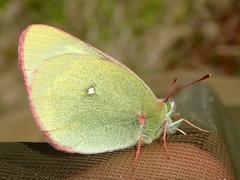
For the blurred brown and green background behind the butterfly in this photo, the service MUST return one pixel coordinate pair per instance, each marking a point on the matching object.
(155, 38)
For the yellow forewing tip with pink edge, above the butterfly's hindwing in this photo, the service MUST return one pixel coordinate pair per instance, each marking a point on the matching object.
(40, 42)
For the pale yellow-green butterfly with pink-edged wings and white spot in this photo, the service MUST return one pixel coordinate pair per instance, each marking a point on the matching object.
(85, 101)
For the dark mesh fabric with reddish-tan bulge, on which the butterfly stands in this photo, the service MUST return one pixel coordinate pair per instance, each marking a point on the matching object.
(194, 156)
